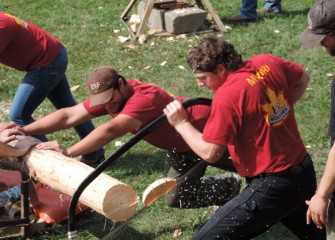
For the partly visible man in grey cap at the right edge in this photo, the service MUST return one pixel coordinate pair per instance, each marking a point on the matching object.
(321, 30)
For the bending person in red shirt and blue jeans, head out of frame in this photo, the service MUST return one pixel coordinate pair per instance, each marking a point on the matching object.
(26, 47)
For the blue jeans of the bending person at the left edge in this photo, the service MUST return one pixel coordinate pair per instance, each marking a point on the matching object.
(47, 82)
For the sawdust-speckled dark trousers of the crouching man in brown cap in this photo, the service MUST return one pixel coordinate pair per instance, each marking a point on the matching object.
(197, 191)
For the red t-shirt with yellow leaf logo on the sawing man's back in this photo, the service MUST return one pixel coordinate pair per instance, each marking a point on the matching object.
(253, 115)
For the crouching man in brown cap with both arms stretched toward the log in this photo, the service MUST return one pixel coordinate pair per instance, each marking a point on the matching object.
(134, 104)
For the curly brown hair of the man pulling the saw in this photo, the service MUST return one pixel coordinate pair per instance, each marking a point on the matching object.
(212, 51)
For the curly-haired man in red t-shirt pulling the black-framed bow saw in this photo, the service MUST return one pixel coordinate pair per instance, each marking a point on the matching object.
(252, 115)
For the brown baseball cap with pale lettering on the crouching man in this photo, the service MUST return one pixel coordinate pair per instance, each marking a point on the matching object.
(100, 85)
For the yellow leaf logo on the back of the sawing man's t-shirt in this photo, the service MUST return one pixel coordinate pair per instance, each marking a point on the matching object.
(277, 110)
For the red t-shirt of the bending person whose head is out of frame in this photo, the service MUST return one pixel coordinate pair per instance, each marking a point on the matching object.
(24, 46)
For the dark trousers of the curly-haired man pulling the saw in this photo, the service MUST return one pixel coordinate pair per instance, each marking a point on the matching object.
(266, 200)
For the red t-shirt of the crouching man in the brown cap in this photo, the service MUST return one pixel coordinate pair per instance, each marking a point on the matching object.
(146, 105)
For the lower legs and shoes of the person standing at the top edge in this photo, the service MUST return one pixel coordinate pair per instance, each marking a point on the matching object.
(248, 10)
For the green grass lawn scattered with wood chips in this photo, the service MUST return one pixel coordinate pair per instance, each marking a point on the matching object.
(90, 30)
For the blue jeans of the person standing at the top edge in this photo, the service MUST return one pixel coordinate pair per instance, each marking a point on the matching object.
(248, 10)
